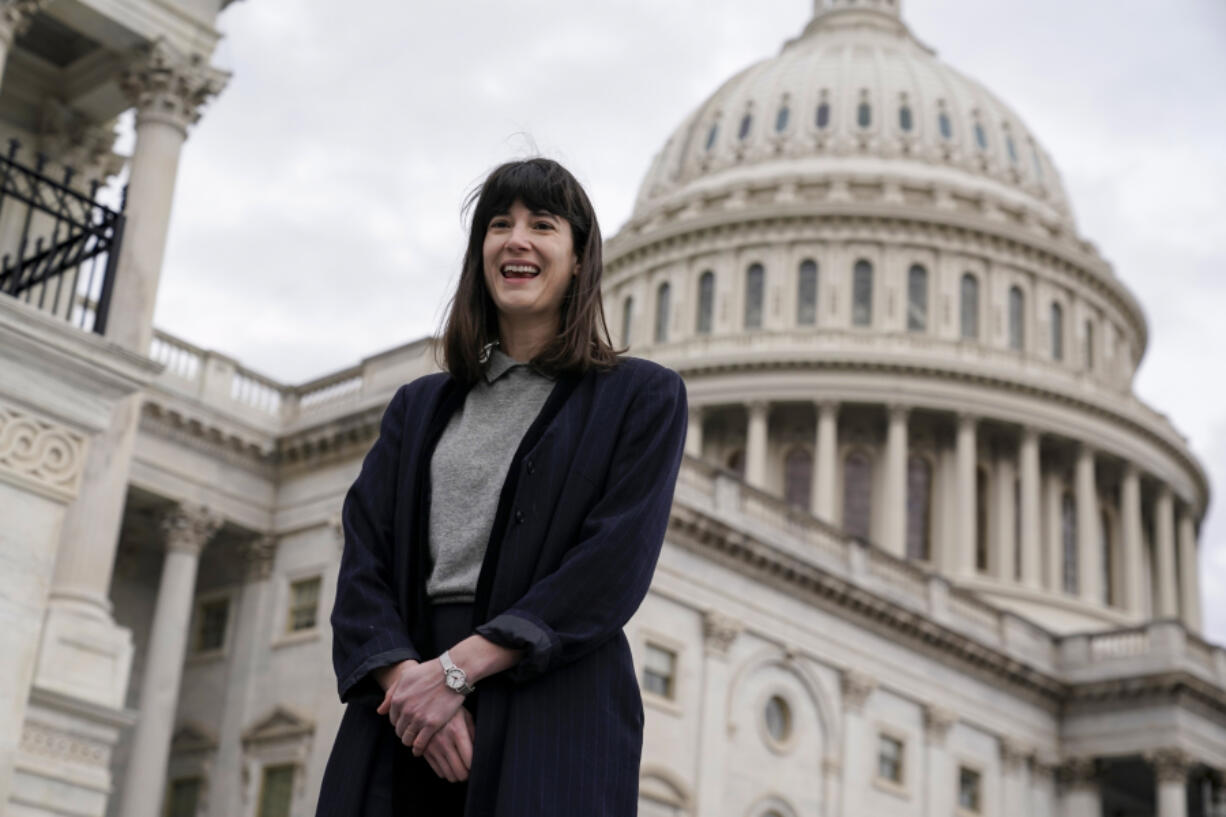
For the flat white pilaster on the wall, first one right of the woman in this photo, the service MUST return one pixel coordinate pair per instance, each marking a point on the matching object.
(719, 632)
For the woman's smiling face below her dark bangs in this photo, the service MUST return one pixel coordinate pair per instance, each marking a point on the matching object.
(529, 262)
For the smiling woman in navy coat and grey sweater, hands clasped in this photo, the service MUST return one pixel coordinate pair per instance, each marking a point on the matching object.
(503, 529)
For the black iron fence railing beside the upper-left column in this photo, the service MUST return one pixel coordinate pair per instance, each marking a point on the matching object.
(59, 247)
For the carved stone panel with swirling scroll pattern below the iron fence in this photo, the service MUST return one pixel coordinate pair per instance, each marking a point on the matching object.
(40, 455)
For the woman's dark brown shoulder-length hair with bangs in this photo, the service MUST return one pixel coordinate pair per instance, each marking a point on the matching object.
(583, 340)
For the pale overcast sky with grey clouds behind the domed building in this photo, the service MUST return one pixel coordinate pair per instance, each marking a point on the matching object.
(317, 212)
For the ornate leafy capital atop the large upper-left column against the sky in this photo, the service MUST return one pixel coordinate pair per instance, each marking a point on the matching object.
(169, 86)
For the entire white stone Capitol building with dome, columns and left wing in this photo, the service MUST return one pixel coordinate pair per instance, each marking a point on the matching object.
(929, 556)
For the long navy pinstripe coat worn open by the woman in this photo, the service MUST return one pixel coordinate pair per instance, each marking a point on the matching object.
(581, 523)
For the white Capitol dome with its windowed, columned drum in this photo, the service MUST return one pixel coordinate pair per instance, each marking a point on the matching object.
(867, 269)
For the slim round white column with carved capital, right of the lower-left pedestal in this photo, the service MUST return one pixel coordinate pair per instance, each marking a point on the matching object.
(187, 533)
